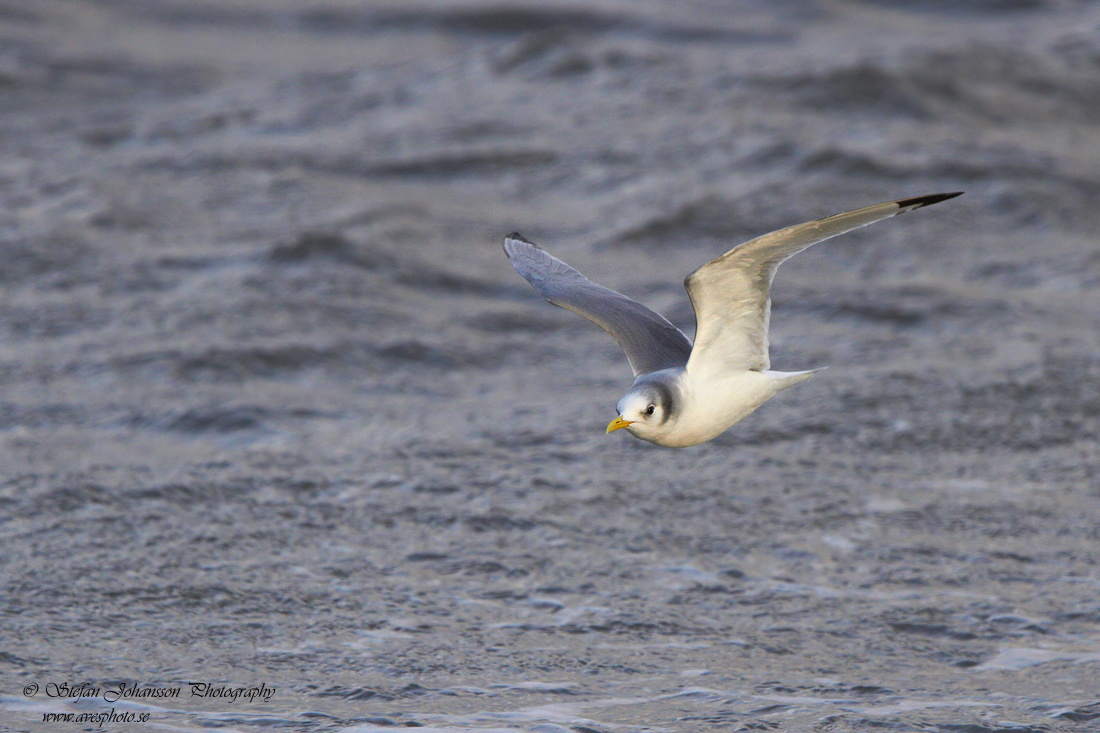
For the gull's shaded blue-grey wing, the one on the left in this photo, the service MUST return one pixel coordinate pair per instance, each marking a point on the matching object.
(650, 341)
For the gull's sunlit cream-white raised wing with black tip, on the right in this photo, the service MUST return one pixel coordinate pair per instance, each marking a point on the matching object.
(731, 296)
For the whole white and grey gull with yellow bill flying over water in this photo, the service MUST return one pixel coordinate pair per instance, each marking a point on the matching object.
(685, 395)
